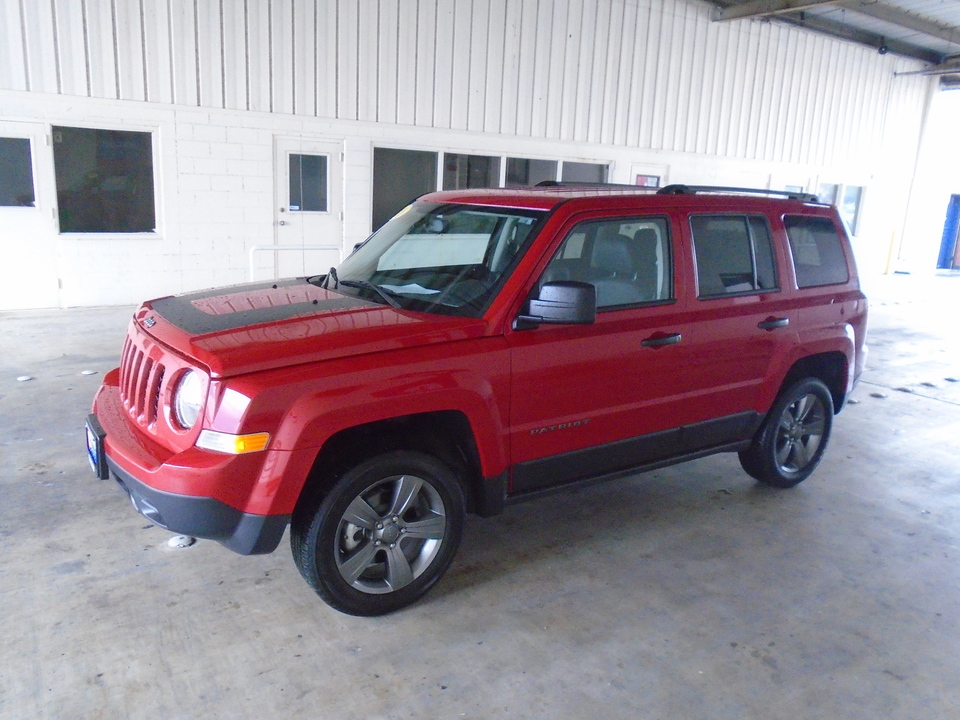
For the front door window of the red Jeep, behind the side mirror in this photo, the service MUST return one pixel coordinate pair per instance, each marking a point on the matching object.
(628, 260)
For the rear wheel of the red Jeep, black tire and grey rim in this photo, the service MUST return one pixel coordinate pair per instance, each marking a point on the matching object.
(790, 442)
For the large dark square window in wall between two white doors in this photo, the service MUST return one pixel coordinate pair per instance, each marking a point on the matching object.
(104, 180)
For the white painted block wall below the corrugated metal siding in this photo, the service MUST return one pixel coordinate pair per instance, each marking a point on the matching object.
(215, 187)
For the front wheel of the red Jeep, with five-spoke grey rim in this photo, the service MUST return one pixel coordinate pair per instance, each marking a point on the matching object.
(383, 535)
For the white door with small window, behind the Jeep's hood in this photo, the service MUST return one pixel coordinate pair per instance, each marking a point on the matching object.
(309, 209)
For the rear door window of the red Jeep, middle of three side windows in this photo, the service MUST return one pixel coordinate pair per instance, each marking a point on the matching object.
(734, 254)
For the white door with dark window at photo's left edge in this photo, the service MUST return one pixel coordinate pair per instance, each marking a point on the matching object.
(28, 229)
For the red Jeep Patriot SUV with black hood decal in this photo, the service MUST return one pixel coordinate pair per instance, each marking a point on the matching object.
(483, 347)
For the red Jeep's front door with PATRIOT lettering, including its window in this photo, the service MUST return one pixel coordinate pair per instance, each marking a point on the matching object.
(593, 399)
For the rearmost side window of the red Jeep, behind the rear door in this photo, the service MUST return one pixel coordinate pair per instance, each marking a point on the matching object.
(817, 253)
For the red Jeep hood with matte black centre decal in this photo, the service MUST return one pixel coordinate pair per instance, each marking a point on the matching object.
(263, 326)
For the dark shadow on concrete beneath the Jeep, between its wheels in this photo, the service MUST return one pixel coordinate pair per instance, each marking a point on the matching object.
(692, 512)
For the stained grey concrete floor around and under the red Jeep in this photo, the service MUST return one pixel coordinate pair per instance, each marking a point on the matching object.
(687, 593)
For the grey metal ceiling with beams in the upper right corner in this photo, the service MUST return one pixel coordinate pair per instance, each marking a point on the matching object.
(928, 30)
